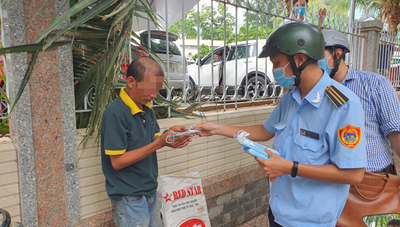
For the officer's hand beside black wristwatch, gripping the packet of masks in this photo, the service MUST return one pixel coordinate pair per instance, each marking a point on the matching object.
(275, 166)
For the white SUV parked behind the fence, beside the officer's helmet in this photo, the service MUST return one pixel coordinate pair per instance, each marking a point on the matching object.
(247, 68)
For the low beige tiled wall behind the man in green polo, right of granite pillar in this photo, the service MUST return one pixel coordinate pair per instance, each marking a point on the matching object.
(208, 155)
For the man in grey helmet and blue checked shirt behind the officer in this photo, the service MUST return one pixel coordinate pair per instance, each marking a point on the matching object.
(380, 102)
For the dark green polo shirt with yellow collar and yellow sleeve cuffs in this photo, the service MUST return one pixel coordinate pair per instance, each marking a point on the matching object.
(125, 128)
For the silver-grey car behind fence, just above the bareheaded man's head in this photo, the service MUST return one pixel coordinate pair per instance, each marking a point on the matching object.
(178, 77)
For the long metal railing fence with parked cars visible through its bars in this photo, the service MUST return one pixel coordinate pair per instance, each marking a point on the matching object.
(240, 76)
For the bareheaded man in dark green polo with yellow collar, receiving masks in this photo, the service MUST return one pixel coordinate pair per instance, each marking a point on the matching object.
(130, 135)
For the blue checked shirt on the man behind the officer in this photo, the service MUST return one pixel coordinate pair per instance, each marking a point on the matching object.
(382, 114)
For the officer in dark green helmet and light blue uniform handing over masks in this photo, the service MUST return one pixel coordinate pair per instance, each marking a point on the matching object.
(318, 128)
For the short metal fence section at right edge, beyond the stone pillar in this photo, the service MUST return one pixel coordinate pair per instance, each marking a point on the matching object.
(389, 56)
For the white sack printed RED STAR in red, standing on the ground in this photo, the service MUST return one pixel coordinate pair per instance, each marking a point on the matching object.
(183, 203)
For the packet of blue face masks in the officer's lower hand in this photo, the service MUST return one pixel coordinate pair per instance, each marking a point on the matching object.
(252, 147)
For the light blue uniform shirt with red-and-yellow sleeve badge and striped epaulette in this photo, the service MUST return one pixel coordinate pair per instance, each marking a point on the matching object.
(314, 131)
